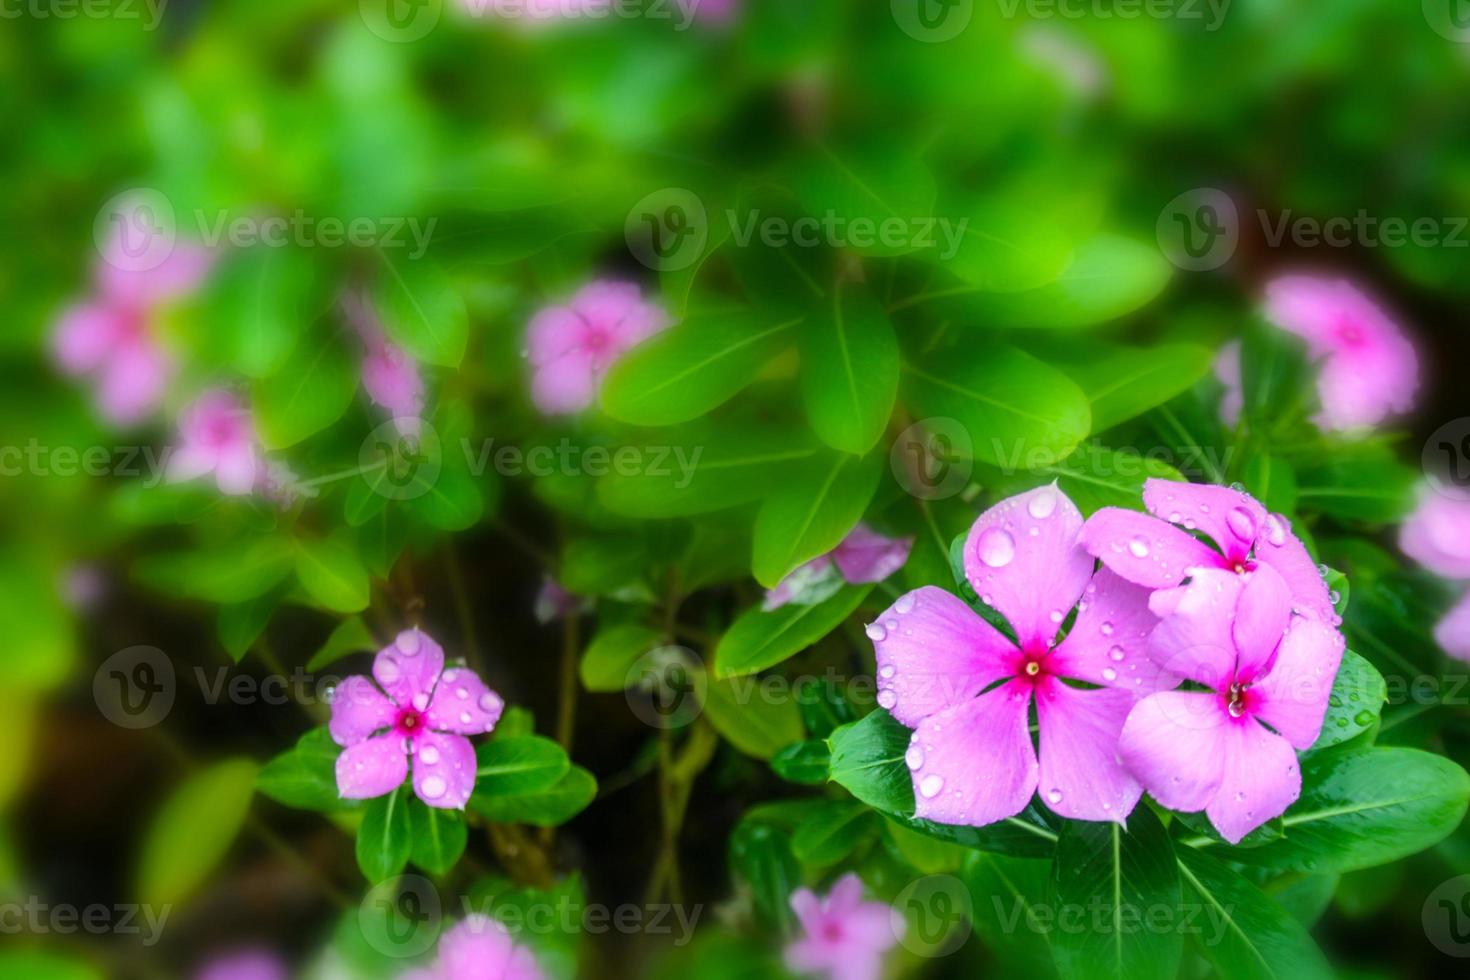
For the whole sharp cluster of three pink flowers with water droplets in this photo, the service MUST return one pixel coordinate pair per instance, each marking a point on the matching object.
(1102, 652)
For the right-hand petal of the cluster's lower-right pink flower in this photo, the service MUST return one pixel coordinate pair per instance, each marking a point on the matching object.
(1293, 697)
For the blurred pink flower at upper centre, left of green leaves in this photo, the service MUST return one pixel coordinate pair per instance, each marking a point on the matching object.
(571, 347)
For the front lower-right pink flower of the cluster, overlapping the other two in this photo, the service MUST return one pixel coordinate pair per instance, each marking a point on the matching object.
(1263, 666)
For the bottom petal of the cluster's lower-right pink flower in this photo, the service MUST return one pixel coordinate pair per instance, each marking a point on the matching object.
(1261, 779)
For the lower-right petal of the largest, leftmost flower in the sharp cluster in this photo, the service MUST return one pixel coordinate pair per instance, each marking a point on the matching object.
(1081, 777)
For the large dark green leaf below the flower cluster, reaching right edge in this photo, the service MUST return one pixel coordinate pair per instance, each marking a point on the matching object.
(1362, 809)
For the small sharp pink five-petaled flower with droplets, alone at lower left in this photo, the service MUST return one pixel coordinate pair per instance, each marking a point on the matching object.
(417, 710)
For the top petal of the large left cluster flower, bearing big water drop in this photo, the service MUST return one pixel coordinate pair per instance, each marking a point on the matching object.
(1022, 559)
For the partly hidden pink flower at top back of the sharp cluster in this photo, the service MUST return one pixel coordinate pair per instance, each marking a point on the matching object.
(1153, 553)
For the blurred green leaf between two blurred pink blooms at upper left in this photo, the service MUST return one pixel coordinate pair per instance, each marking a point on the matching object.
(309, 393)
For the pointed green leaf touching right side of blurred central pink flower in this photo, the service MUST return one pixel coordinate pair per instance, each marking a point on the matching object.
(699, 365)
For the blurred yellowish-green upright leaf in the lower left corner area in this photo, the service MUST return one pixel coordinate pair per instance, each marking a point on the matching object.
(193, 831)
